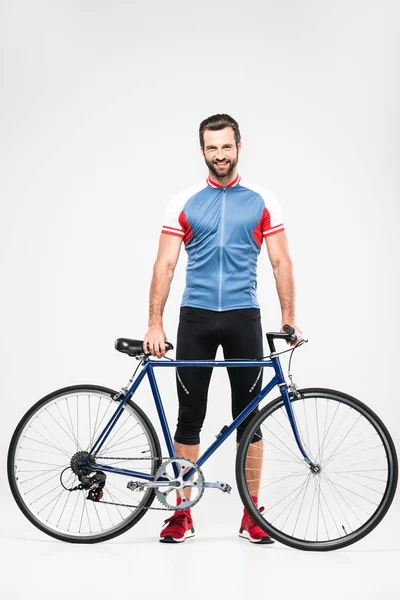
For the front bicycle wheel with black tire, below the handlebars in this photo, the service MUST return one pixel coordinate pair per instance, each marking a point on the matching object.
(352, 491)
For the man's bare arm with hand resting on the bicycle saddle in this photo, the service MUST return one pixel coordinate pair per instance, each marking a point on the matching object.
(163, 272)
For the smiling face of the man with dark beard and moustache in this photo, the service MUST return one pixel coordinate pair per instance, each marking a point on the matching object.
(221, 153)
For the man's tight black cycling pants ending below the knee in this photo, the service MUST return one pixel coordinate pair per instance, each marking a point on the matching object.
(200, 332)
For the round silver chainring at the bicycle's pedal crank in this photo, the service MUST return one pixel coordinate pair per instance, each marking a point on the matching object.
(169, 495)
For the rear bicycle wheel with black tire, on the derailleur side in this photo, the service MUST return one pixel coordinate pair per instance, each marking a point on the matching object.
(56, 428)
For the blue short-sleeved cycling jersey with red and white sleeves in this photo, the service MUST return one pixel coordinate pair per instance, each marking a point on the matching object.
(222, 229)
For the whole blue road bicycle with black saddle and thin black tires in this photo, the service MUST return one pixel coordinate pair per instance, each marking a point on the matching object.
(328, 467)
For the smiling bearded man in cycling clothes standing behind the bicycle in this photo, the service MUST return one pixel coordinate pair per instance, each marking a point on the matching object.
(222, 223)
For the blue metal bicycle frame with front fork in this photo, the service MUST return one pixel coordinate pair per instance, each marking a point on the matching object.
(148, 369)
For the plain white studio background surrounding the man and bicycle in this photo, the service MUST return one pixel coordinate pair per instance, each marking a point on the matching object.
(100, 107)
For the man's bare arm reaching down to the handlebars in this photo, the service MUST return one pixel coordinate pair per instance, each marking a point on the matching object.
(278, 252)
